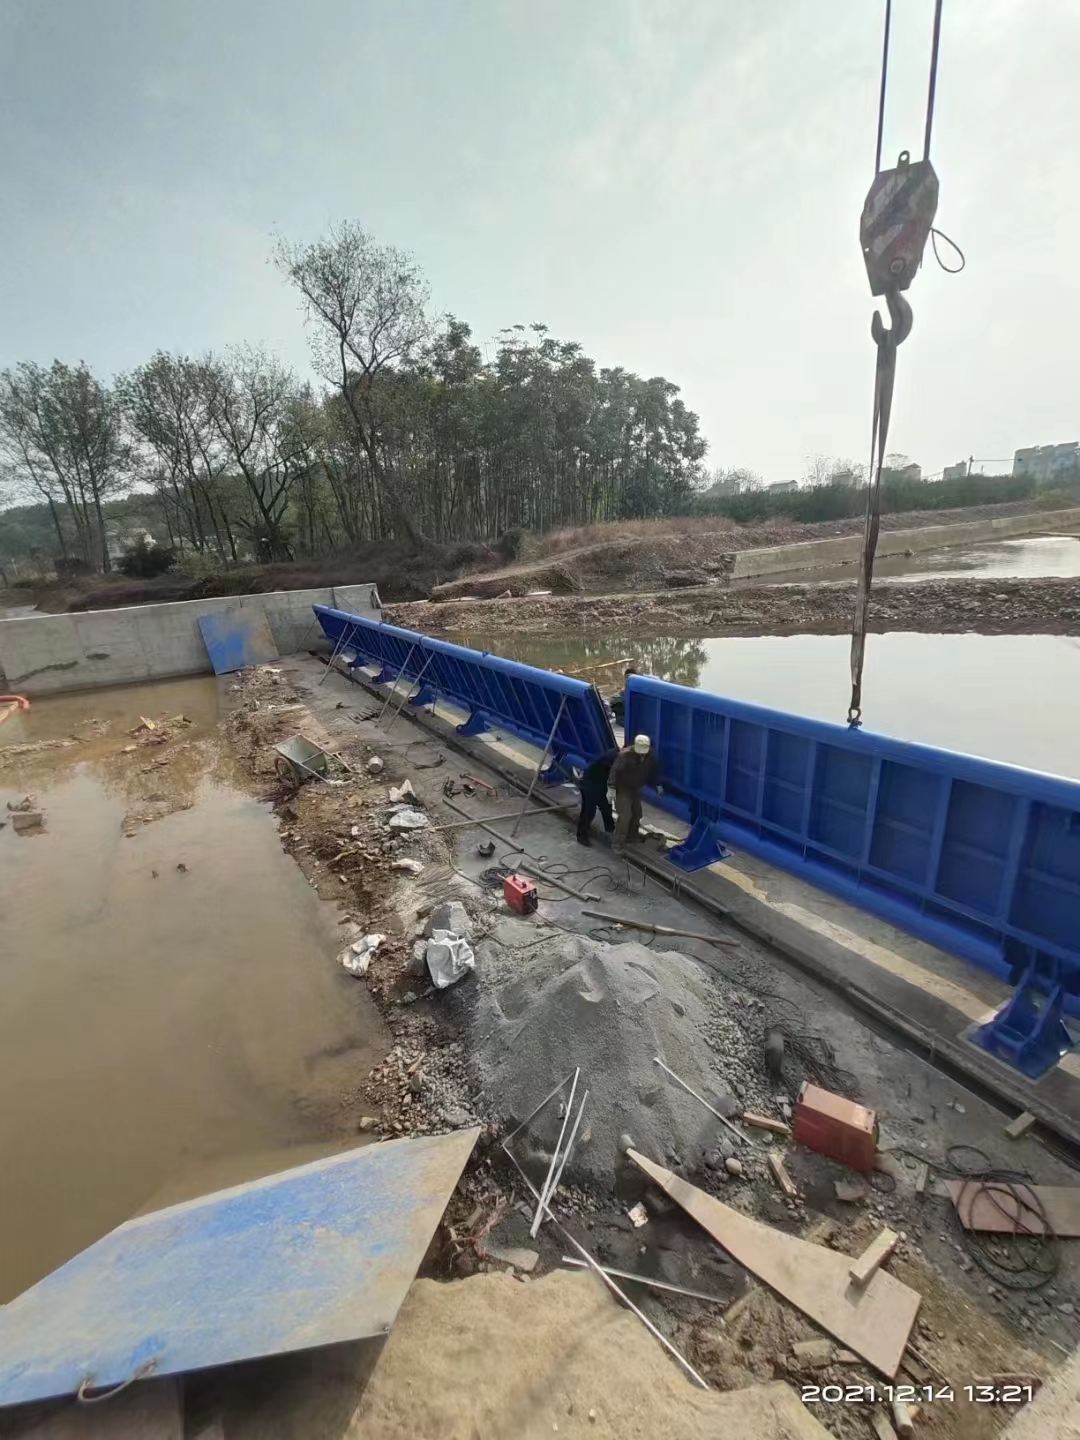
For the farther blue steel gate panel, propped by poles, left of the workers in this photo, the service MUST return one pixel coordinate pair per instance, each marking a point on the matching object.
(521, 699)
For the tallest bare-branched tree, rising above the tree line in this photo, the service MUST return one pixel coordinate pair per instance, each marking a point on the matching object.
(369, 309)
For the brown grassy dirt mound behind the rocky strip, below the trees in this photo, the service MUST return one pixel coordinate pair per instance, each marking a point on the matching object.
(646, 555)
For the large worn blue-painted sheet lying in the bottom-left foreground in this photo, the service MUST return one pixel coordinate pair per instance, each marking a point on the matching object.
(312, 1256)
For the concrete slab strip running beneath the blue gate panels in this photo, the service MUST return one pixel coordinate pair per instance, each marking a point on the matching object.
(924, 994)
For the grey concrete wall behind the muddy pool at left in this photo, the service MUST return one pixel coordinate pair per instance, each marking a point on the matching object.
(44, 654)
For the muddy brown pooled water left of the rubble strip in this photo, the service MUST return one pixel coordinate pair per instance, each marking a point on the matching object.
(156, 1027)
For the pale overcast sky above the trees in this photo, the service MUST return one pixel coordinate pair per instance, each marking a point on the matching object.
(675, 184)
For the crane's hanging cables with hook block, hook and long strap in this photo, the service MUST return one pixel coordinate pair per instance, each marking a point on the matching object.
(888, 341)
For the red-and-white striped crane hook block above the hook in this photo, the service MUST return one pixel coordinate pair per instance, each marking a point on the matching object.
(898, 218)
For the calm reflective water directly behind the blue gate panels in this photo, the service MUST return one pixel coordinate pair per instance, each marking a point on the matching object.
(1006, 698)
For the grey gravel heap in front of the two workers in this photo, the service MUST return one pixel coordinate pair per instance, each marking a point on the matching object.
(608, 1009)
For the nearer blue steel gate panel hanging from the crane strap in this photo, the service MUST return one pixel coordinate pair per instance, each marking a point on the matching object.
(978, 859)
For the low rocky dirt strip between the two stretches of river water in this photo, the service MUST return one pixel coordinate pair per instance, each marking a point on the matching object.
(1046, 607)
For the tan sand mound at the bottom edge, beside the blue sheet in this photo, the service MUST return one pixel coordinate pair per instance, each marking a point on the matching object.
(489, 1357)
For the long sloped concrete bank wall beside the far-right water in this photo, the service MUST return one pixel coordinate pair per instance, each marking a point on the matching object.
(846, 549)
